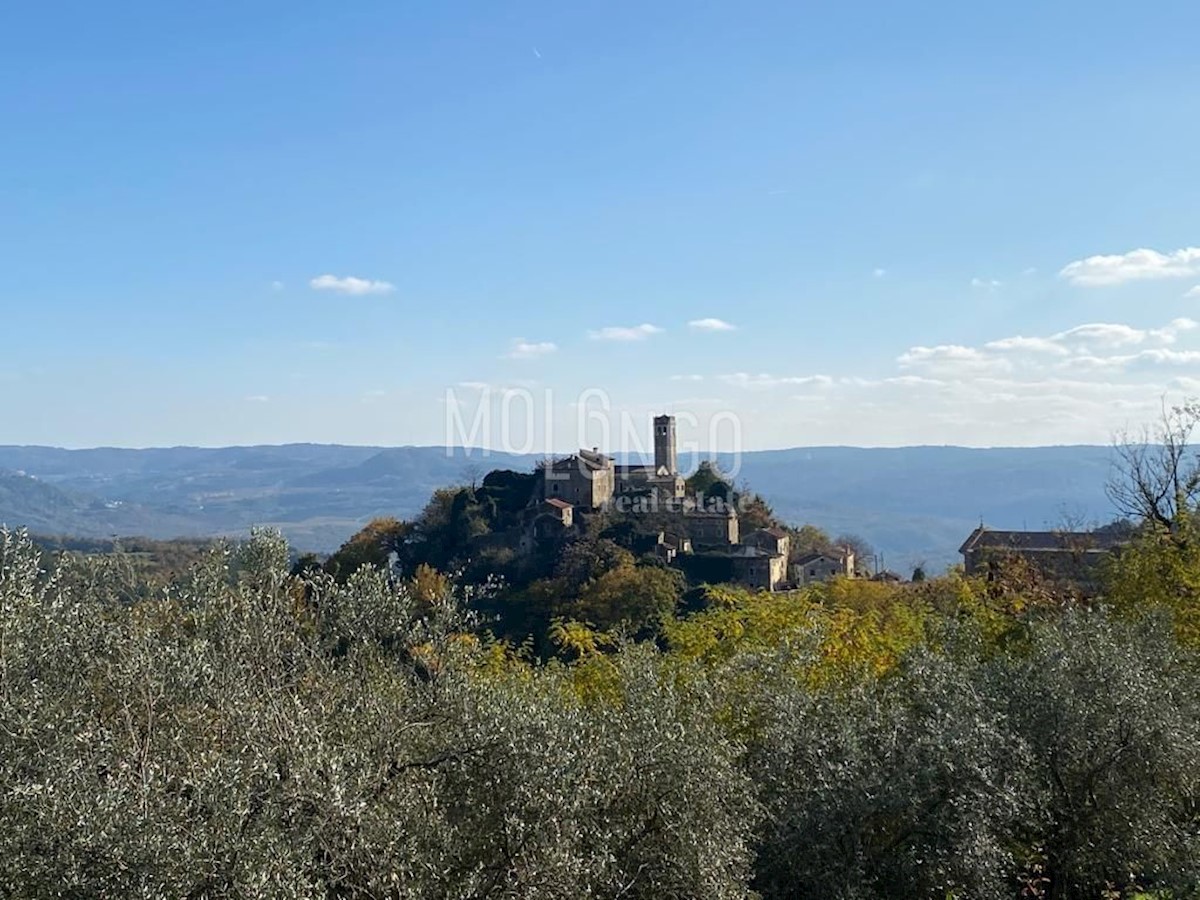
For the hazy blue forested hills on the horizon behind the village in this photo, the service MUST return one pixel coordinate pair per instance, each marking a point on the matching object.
(911, 503)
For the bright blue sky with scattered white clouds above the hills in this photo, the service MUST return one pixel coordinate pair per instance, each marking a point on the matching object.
(921, 224)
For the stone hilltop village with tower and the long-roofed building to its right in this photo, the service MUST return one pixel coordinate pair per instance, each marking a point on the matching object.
(699, 526)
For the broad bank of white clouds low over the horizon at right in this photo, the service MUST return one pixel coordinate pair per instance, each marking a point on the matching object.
(1060, 387)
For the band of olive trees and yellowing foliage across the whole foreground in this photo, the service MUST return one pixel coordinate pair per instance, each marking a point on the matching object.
(260, 728)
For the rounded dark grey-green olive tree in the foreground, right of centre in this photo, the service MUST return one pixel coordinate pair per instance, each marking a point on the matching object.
(904, 788)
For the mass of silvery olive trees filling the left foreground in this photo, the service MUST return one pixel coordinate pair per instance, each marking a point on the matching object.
(251, 734)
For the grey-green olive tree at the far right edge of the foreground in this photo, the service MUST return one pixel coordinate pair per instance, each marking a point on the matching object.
(1111, 713)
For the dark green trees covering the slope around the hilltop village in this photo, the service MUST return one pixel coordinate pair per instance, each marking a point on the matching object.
(607, 575)
